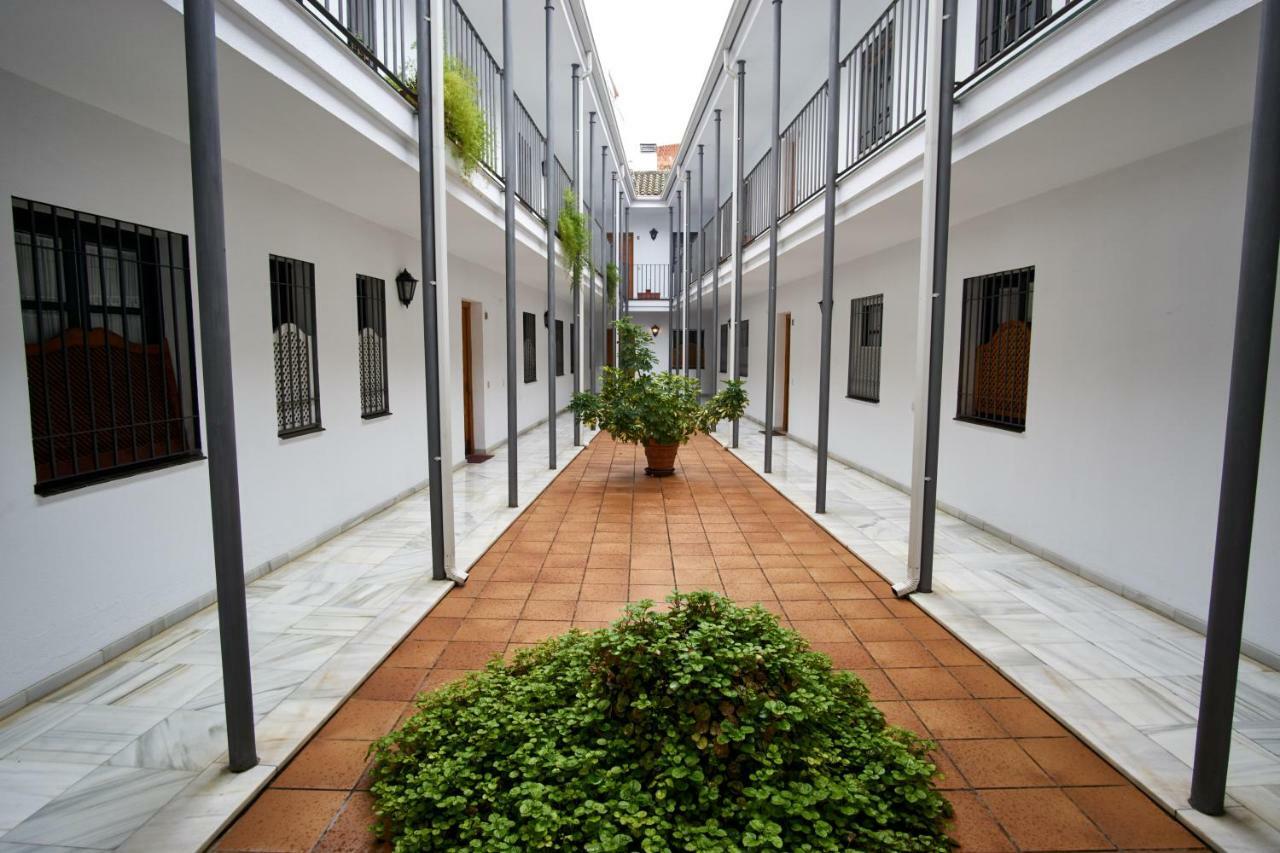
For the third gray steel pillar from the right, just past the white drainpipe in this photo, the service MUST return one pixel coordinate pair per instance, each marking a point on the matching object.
(829, 252)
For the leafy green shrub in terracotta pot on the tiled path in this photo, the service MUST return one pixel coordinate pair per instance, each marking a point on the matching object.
(657, 410)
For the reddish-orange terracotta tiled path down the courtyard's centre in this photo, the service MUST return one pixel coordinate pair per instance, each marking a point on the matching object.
(604, 535)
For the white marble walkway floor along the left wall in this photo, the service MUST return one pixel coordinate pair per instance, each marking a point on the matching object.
(132, 756)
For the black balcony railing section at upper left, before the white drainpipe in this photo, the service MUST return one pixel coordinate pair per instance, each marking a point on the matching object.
(382, 34)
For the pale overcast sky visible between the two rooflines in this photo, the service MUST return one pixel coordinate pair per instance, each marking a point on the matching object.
(657, 69)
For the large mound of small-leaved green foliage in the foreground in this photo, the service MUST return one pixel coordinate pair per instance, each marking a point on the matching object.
(706, 728)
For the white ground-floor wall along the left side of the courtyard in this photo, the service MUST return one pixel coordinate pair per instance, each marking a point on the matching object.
(86, 569)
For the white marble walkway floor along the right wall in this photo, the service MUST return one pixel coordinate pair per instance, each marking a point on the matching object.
(1123, 678)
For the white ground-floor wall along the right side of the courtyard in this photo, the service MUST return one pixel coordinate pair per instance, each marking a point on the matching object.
(1118, 471)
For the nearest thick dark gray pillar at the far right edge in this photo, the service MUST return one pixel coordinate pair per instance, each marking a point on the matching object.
(1255, 311)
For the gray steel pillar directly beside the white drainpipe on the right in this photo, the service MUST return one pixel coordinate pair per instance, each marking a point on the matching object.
(943, 223)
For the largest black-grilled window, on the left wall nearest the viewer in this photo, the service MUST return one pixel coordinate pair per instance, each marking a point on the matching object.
(111, 359)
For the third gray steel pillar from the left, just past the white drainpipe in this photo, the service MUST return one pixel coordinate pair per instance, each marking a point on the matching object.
(509, 171)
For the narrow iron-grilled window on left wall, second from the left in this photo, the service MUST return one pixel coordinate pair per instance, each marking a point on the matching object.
(294, 337)
